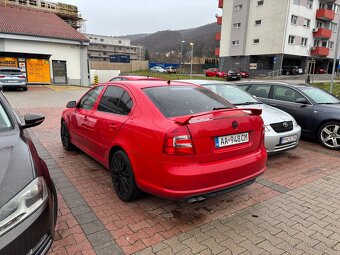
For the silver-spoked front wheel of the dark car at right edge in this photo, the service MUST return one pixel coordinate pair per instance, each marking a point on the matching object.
(329, 135)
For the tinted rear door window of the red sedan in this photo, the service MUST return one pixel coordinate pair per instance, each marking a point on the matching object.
(115, 100)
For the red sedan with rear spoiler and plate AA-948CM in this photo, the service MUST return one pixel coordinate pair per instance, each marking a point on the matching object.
(176, 141)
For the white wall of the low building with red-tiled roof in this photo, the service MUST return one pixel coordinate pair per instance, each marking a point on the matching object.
(74, 55)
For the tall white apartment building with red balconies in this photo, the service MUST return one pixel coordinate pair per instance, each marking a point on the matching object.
(264, 35)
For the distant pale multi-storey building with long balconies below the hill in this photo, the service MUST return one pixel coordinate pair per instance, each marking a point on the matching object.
(108, 48)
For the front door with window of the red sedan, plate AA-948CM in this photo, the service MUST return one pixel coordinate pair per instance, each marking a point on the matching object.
(81, 123)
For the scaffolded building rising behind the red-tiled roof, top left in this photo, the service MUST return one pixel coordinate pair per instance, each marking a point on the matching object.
(69, 13)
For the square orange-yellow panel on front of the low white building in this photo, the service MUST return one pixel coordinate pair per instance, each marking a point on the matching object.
(38, 70)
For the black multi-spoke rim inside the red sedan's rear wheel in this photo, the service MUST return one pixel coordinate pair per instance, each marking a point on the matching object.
(120, 175)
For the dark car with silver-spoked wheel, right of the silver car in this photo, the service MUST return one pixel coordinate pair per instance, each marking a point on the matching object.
(315, 110)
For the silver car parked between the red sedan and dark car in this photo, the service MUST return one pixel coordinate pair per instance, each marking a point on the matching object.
(281, 130)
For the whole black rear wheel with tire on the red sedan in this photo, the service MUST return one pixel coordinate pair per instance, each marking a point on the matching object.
(123, 179)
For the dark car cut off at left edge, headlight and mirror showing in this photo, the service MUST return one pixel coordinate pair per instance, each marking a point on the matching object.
(28, 200)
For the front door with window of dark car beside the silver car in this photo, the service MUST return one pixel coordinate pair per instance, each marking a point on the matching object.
(285, 98)
